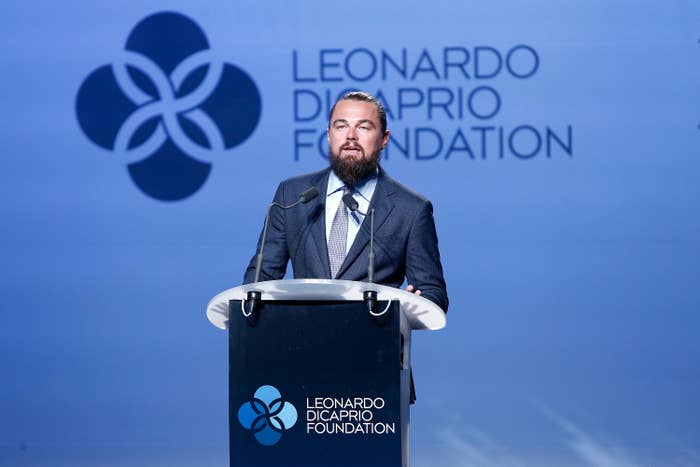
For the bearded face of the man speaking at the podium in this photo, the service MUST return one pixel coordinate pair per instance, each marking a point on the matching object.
(355, 140)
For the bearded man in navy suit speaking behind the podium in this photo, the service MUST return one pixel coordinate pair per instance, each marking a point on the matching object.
(324, 240)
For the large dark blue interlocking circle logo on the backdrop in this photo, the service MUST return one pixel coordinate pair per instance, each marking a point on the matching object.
(167, 105)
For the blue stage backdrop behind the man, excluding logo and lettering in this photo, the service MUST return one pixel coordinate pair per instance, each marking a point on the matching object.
(572, 336)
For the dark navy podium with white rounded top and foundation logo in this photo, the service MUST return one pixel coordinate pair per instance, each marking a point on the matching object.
(315, 379)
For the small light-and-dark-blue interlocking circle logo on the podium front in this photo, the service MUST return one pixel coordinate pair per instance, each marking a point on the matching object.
(267, 415)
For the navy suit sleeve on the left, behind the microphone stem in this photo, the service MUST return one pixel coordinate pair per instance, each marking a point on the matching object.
(276, 253)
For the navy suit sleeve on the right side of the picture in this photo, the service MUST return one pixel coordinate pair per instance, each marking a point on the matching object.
(423, 266)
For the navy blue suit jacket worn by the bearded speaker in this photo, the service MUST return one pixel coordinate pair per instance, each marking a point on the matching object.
(405, 241)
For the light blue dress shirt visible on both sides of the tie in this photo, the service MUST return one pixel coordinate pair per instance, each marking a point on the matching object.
(362, 194)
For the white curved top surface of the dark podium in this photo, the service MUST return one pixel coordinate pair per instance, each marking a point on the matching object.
(420, 312)
